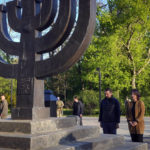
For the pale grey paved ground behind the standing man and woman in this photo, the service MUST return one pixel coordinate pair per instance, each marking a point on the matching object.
(123, 130)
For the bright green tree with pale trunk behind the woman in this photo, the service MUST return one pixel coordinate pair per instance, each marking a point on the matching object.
(133, 28)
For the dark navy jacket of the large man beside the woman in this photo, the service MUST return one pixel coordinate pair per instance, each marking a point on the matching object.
(110, 110)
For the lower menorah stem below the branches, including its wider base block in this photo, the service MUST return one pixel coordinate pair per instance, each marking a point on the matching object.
(30, 101)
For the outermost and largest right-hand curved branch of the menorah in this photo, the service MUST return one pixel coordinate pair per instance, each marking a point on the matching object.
(76, 45)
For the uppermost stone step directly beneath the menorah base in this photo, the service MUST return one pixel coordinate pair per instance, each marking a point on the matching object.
(36, 126)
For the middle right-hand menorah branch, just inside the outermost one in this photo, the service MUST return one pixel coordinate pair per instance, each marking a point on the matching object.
(50, 40)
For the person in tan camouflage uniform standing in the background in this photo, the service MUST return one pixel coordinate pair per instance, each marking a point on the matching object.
(60, 105)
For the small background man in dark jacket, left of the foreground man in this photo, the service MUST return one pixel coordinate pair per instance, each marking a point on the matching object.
(78, 108)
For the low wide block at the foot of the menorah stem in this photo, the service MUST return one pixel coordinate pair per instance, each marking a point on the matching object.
(30, 113)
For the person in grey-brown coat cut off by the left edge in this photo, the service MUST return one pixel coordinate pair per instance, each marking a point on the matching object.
(3, 108)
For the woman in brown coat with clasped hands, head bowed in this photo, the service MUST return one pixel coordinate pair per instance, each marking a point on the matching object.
(135, 111)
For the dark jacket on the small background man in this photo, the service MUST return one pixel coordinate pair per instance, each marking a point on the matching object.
(77, 108)
